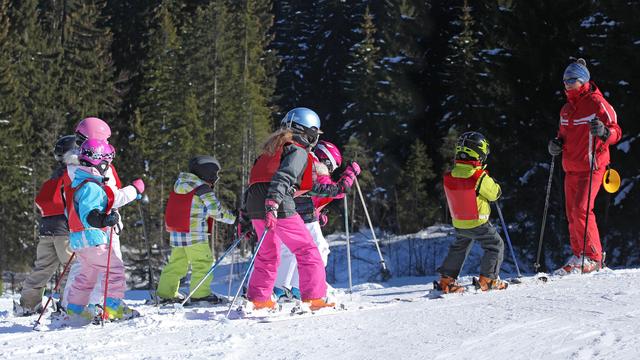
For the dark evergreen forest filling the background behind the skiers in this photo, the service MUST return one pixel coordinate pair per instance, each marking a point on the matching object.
(393, 81)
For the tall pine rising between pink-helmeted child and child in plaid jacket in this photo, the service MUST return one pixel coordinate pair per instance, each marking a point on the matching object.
(153, 138)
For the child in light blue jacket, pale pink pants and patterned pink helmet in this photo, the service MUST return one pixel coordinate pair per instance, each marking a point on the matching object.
(91, 223)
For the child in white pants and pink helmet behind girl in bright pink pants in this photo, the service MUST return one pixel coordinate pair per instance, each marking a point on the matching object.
(327, 159)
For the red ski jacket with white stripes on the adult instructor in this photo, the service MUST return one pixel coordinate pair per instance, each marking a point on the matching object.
(584, 105)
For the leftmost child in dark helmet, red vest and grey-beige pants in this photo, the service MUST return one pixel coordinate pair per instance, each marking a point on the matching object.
(53, 241)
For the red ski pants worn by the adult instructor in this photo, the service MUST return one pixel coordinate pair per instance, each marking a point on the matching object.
(576, 190)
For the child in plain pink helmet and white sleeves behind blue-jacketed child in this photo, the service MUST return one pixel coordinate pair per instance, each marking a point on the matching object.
(96, 129)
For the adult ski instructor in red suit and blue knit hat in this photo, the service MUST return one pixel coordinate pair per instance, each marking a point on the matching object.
(587, 123)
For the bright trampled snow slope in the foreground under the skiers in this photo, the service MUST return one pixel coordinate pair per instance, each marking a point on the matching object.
(595, 316)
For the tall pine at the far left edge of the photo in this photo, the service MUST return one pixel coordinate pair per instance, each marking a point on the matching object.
(30, 73)
